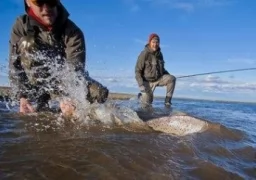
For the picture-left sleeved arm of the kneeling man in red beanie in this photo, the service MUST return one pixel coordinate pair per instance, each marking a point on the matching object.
(139, 68)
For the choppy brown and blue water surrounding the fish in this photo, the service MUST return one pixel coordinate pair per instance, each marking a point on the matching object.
(42, 148)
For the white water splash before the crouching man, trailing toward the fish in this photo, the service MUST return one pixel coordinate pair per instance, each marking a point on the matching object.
(74, 87)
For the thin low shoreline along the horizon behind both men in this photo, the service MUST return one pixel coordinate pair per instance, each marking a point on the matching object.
(5, 91)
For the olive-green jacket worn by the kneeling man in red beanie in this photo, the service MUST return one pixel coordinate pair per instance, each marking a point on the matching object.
(149, 66)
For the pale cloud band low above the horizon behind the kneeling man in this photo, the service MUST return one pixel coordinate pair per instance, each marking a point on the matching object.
(210, 84)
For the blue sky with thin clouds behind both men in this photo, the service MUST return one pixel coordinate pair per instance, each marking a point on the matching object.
(197, 36)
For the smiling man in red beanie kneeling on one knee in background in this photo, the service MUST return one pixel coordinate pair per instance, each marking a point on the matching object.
(150, 72)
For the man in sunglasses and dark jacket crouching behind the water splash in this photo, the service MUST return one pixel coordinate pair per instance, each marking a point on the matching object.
(46, 28)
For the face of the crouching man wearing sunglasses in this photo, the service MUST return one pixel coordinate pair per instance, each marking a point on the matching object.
(46, 10)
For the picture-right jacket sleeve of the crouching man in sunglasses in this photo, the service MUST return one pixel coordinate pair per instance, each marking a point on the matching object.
(75, 47)
